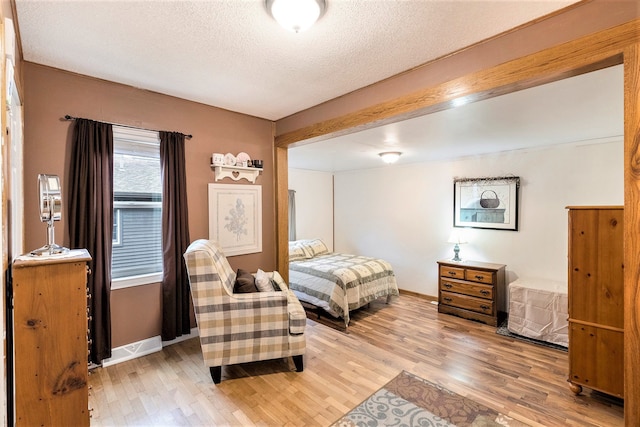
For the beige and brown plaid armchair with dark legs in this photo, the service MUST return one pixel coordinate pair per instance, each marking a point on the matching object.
(241, 327)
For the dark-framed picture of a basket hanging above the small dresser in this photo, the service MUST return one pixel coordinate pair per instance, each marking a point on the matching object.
(486, 203)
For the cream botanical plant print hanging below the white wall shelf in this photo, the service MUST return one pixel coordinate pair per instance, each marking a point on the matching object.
(235, 217)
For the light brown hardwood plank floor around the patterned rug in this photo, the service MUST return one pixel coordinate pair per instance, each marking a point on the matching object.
(342, 368)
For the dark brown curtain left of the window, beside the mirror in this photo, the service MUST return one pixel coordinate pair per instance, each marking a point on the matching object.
(91, 222)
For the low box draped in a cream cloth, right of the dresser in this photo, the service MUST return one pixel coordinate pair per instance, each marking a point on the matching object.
(538, 309)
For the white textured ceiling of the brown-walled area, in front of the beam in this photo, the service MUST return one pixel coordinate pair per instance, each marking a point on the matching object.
(231, 53)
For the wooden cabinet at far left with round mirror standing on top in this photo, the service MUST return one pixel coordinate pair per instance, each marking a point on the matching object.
(50, 340)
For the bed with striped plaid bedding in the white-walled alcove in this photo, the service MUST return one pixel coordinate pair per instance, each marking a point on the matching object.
(335, 282)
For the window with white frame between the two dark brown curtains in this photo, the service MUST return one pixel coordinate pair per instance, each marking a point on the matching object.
(137, 204)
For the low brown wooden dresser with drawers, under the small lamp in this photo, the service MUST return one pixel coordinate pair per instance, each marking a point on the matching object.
(470, 289)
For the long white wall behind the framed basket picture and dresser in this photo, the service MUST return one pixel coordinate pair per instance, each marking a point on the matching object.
(405, 213)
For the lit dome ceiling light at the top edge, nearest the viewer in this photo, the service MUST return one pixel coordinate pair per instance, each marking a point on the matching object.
(296, 15)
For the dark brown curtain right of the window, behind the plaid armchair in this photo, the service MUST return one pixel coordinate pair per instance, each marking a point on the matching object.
(175, 237)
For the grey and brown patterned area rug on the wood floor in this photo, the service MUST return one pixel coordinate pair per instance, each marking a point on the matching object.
(408, 400)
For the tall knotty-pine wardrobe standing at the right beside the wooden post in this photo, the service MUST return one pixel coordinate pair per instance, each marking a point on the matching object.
(596, 299)
